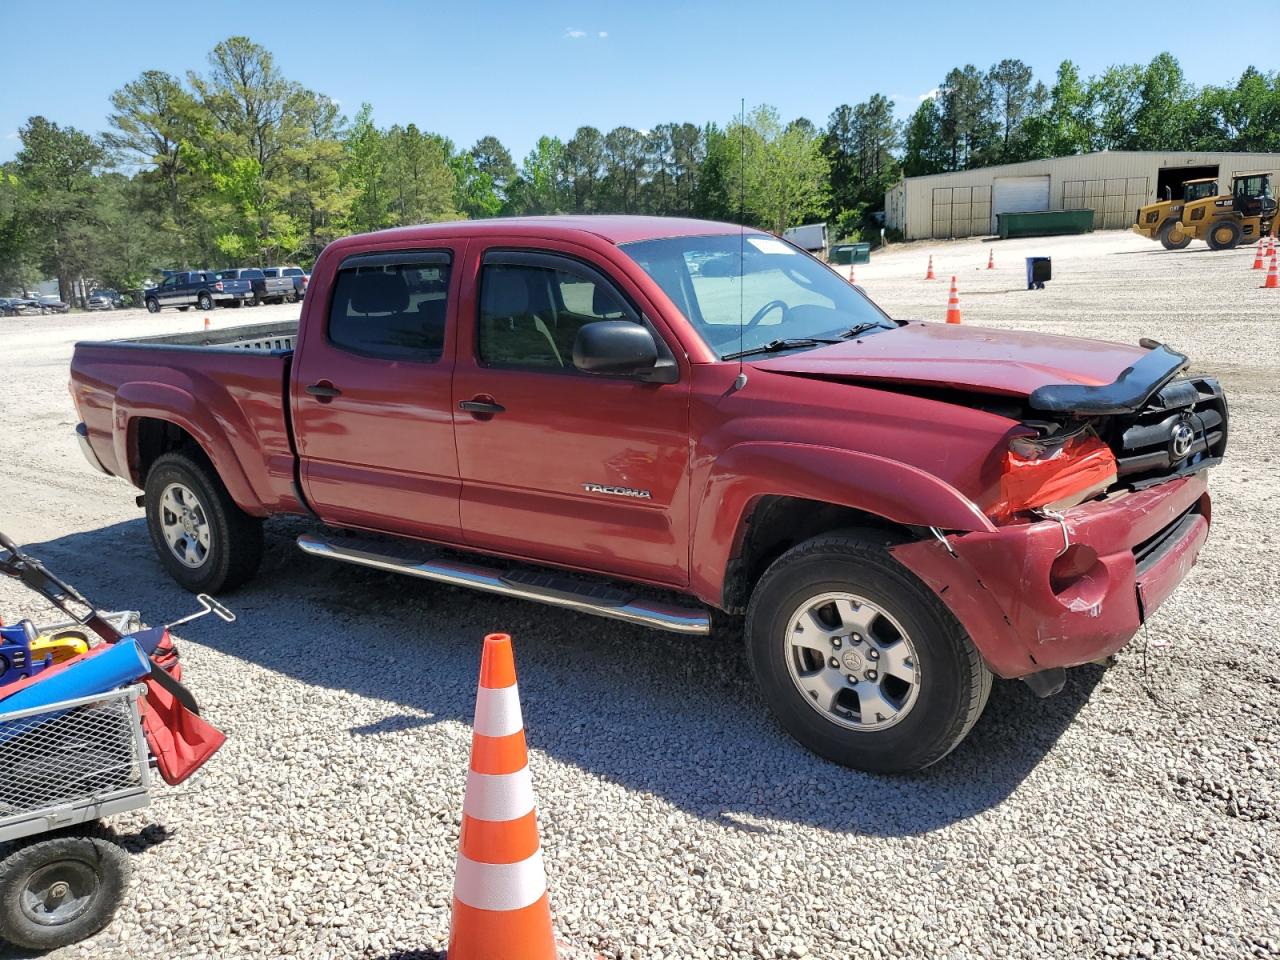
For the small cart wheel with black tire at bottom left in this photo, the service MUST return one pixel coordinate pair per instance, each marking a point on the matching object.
(61, 892)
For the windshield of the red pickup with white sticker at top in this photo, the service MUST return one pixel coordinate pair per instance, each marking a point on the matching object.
(755, 282)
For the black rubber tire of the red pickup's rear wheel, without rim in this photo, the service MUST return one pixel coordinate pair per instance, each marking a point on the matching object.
(235, 547)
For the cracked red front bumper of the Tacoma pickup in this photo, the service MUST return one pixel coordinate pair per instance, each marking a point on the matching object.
(1060, 593)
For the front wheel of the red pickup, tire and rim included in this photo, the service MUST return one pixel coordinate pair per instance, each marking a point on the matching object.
(860, 661)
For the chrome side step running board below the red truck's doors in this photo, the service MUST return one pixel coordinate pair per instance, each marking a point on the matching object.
(604, 601)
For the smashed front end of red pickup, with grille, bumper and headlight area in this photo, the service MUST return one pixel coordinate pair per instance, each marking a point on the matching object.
(1101, 513)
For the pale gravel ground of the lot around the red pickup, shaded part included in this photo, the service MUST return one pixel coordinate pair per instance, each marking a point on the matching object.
(1135, 815)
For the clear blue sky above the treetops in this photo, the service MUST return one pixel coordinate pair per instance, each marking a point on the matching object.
(522, 70)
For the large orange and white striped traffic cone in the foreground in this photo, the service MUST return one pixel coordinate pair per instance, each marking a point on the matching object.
(500, 890)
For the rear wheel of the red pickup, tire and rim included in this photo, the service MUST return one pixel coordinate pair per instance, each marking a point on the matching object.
(204, 541)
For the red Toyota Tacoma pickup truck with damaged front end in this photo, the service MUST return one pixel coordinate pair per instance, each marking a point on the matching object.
(655, 419)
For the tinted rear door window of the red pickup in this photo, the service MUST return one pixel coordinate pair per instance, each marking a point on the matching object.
(392, 307)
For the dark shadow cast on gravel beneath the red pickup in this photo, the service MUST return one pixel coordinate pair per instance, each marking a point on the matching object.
(651, 712)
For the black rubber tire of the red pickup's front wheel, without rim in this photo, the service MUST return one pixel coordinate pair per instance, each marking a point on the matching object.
(954, 682)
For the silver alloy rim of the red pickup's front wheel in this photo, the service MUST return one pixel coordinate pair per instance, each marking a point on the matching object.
(853, 662)
